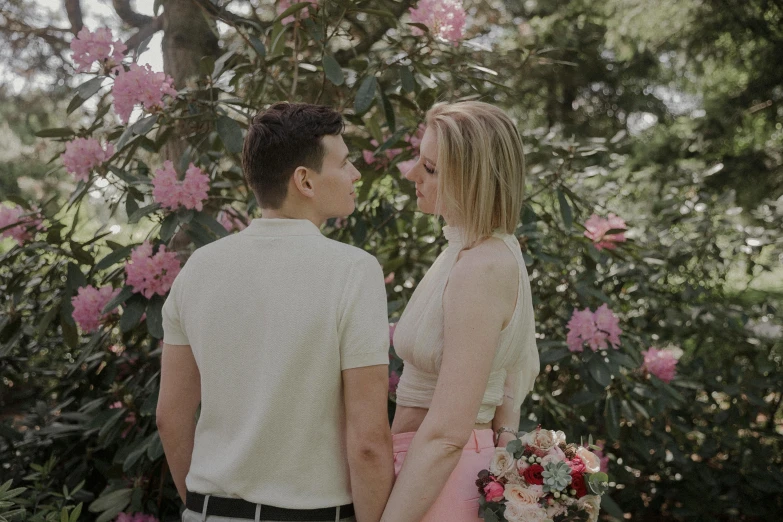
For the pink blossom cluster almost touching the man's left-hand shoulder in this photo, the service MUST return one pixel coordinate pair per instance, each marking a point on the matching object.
(150, 274)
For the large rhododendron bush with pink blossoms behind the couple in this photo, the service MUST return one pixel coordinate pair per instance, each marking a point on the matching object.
(637, 344)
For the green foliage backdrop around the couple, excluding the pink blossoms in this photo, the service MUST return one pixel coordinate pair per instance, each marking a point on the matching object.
(667, 113)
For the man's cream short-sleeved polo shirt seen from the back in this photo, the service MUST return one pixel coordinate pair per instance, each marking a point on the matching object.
(273, 315)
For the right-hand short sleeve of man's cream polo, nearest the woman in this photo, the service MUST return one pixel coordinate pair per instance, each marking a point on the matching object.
(364, 324)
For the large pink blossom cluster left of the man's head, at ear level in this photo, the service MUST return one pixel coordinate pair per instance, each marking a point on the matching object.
(171, 193)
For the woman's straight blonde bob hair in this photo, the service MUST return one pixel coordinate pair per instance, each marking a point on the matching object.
(481, 168)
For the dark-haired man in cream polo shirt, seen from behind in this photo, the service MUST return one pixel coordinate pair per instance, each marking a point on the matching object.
(281, 336)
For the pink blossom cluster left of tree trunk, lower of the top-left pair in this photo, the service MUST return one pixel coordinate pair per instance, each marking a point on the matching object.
(140, 85)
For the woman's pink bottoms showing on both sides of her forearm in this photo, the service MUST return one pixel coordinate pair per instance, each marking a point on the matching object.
(458, 501)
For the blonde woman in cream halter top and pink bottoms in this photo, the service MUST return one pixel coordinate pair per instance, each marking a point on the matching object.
(467, 335)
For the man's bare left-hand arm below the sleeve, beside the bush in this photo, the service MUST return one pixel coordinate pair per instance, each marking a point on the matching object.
(180, 395)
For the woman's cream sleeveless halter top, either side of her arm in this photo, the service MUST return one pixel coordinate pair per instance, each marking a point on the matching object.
(418, 337)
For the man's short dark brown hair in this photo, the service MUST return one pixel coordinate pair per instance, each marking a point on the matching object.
(282, 138)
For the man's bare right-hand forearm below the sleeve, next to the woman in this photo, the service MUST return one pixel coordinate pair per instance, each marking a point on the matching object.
(370, 459)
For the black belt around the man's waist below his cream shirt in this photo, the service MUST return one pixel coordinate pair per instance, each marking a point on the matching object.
(238, 508)
